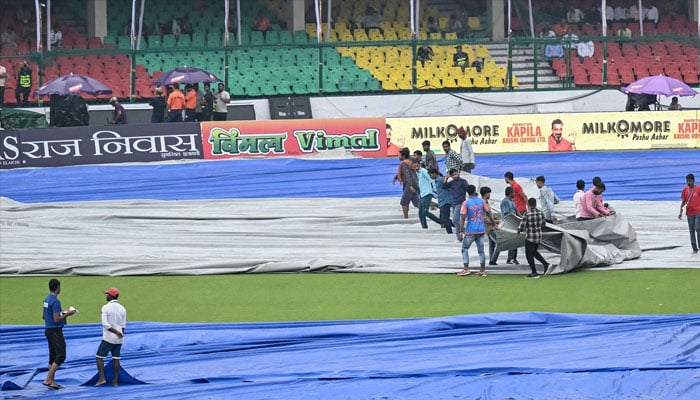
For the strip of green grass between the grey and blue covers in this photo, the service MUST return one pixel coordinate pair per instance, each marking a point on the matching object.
(339, 296)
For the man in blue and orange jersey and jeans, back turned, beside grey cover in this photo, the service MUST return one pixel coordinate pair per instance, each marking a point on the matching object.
(471, 230)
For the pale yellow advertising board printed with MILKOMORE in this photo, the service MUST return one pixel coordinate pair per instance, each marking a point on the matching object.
(519, 133)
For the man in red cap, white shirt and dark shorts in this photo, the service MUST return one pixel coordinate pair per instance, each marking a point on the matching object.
(113, 325)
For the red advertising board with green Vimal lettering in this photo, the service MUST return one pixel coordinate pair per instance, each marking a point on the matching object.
(365, 137)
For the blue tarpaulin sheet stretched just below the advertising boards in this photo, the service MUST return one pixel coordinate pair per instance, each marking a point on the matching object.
(633, 175)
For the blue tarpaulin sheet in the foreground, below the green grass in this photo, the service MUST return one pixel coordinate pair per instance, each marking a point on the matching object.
(488, 356)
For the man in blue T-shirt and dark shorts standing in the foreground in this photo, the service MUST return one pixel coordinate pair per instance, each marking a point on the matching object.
(54, 321)
